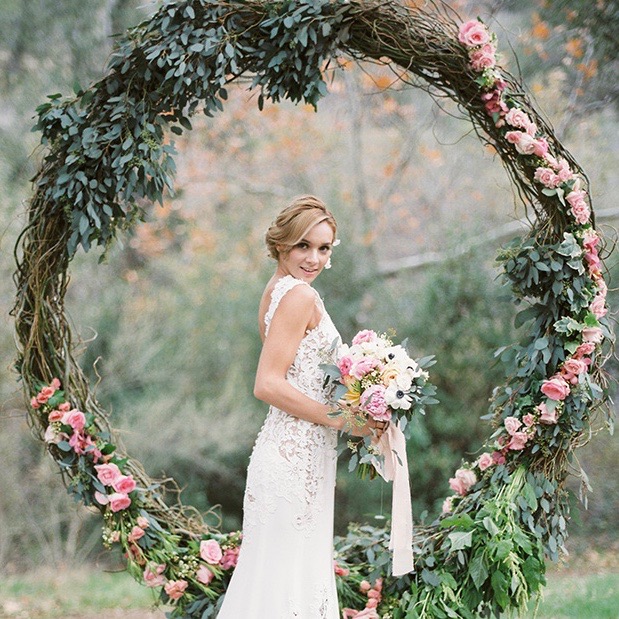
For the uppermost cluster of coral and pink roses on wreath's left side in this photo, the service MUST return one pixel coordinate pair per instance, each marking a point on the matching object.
(65, 423)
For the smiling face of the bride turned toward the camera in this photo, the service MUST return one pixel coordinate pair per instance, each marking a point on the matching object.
(308, 257)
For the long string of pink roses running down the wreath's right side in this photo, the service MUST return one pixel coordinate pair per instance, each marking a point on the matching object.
(557, 179)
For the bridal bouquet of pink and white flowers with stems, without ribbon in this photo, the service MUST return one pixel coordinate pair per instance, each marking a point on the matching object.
(375, 378)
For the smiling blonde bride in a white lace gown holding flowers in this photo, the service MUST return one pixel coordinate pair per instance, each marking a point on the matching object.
(285, 567)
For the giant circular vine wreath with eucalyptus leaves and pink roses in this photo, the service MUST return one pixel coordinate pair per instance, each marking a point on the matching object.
(106, 154)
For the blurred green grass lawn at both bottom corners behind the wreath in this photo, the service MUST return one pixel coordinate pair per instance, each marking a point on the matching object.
(580, 592)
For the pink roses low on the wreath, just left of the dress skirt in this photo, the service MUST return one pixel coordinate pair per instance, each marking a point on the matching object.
(213, 556)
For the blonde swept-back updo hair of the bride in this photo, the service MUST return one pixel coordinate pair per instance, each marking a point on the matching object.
(294, 222)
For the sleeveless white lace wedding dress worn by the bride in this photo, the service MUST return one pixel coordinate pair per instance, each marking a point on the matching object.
(285, 567)
